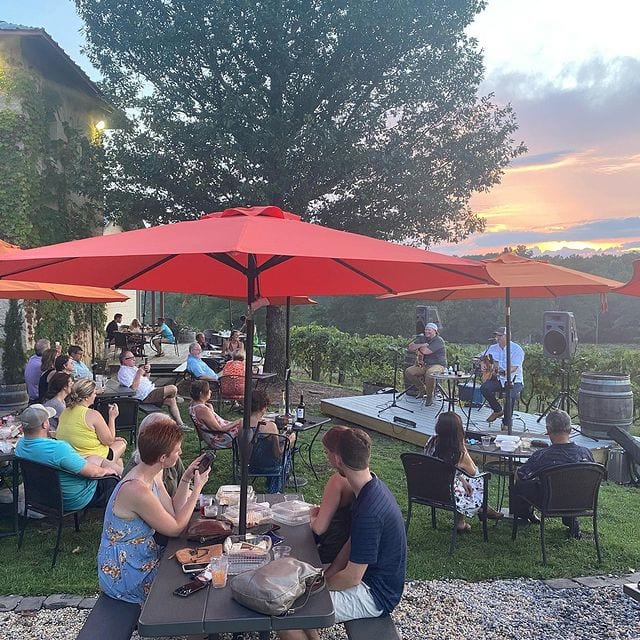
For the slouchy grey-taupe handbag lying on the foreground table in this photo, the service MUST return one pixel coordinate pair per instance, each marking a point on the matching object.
(274, 588)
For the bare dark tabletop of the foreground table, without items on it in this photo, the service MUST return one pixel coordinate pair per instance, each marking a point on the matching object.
(213, 611)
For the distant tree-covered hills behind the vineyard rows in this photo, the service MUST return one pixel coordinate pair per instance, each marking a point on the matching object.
(464, 321)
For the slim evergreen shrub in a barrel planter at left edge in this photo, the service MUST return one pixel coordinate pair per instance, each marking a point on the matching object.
(13, 393)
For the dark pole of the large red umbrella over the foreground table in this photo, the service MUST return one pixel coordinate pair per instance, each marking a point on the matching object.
(245, 436)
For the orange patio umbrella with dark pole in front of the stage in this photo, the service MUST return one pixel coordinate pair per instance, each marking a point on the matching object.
(518, 277)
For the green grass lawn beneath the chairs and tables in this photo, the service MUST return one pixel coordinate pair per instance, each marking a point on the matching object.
(28, 572)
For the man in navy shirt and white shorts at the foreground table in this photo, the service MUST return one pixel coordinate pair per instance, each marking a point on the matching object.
(366, 579)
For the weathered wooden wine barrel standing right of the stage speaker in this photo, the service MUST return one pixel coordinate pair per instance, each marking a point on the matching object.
(605, 400)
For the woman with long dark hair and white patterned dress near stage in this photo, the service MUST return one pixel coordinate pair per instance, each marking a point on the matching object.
(448, 445)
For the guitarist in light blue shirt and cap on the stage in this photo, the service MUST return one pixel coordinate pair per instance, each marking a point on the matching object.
(494, 372)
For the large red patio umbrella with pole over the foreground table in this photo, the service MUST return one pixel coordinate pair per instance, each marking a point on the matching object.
(254, 252)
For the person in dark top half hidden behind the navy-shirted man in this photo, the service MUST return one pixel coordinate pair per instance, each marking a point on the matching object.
(331, 521)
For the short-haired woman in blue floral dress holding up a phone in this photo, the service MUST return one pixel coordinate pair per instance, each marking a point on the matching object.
(139, 506)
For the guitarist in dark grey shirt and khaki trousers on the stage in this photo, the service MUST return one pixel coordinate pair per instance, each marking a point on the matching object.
(431, 357)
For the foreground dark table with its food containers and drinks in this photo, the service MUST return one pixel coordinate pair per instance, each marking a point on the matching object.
(211, 609)
